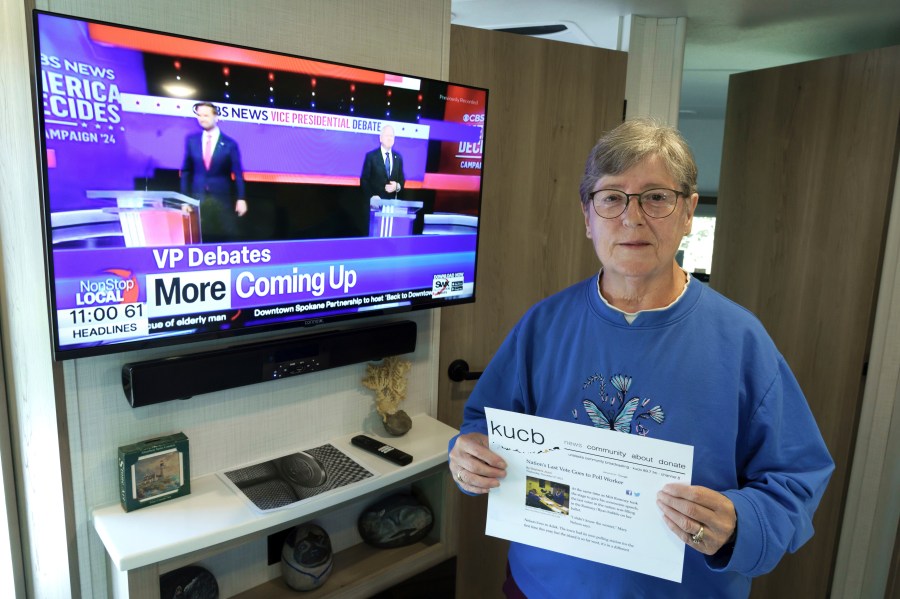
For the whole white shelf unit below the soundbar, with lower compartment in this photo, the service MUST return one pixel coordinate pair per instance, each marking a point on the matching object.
(212, 519)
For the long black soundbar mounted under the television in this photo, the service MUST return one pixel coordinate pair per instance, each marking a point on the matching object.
(181, 377)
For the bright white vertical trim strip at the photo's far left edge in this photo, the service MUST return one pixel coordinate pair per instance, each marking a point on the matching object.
(37, 444)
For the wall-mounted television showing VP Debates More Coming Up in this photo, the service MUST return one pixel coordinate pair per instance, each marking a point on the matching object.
(194, 189)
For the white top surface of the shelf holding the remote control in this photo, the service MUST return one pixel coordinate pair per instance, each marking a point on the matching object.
(214, 514)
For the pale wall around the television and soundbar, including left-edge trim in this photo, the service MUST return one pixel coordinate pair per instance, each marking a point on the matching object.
(84, 407)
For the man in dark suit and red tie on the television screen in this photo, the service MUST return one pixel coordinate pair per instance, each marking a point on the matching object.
(212, 173)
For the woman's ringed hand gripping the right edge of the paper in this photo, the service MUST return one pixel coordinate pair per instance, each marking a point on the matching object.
(689, 509)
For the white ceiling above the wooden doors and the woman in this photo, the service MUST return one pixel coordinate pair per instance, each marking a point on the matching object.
(723, 36)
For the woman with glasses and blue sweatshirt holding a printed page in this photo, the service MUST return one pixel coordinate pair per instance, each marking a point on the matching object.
(642, 326)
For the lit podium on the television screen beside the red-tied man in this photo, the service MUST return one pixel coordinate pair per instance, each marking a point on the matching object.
(146, 218)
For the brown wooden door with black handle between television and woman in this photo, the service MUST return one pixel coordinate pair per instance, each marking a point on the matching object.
(548, 104)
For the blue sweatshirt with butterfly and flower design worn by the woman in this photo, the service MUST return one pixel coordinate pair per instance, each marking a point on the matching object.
(708, 375)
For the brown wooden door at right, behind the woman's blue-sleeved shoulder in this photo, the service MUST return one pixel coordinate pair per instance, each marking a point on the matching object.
(806, 182)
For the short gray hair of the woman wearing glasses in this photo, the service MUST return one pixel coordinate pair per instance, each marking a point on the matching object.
(632, 142)
